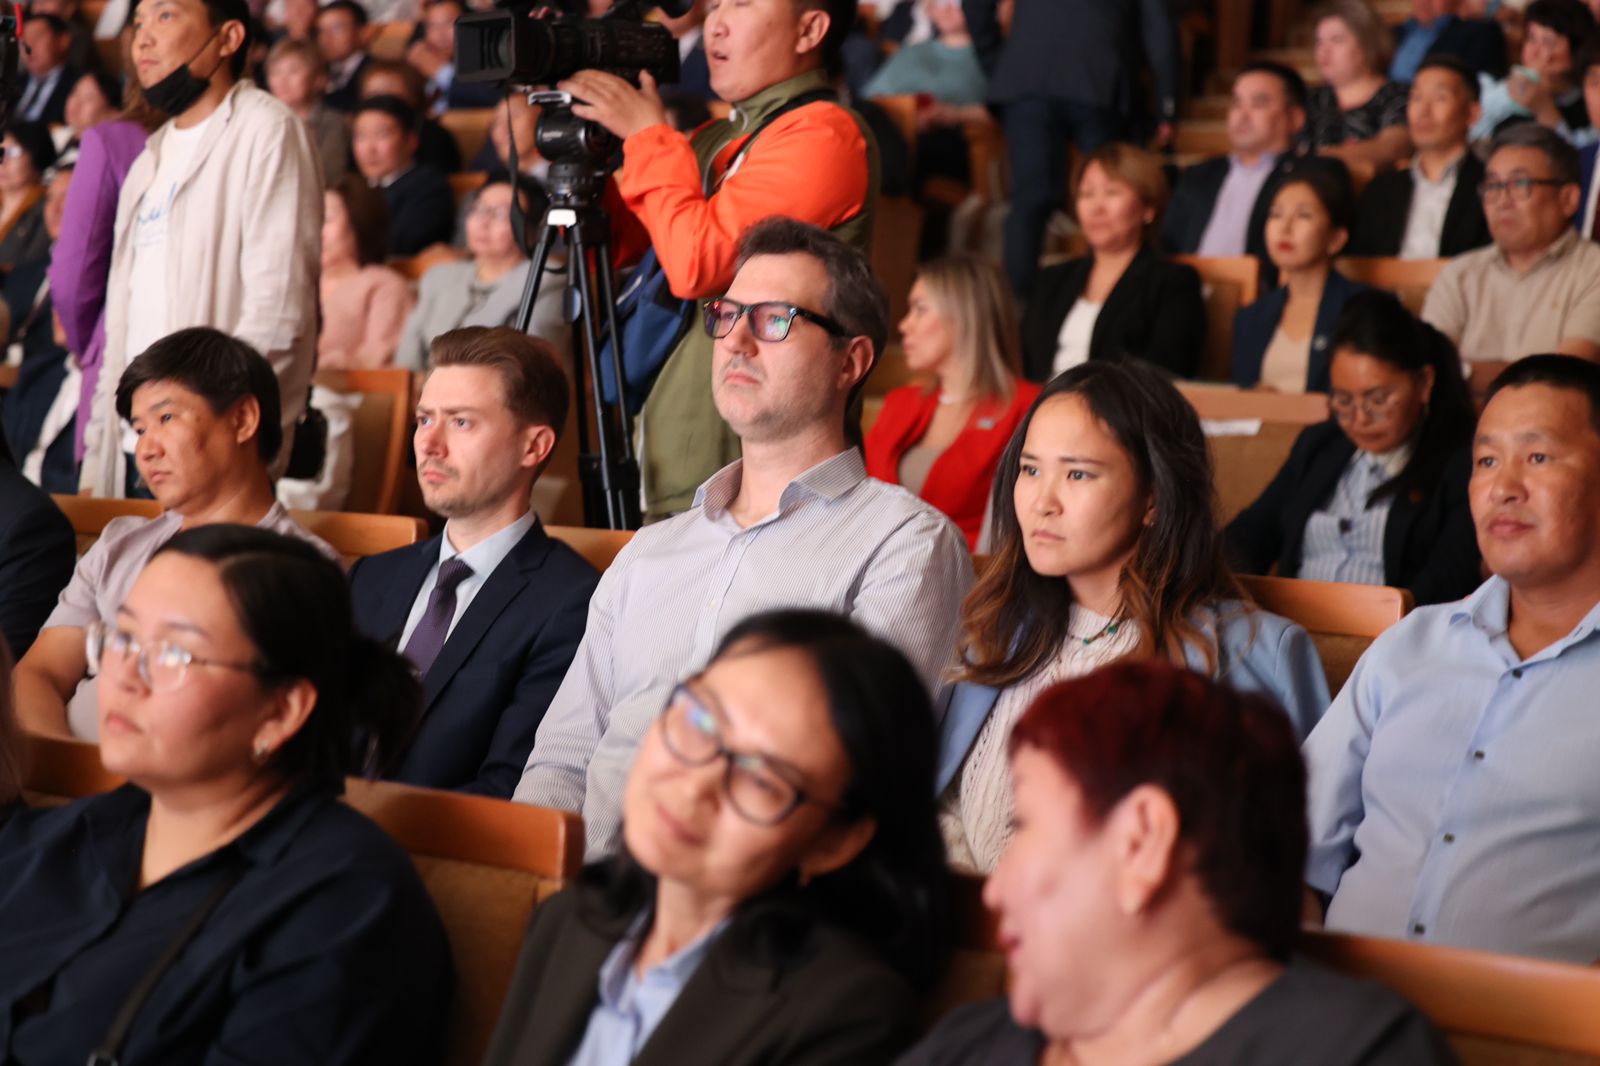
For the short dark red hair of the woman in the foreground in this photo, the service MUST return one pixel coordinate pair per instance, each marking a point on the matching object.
(1230, 763)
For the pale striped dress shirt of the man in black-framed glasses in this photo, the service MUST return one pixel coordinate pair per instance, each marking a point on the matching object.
(838, 542)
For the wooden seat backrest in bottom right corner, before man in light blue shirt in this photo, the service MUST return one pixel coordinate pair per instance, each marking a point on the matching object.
(1498, 1011)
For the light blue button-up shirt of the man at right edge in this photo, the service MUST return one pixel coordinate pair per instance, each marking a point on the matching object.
(1455, 787)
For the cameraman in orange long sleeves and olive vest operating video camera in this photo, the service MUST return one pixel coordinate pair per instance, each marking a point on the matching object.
(814, 162)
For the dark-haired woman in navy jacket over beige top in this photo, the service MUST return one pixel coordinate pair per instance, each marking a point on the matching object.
(1281, 342)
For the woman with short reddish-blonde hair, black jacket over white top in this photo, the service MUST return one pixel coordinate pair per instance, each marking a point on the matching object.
(1122, 300)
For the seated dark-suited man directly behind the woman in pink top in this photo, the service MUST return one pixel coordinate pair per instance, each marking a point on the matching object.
(385, 143)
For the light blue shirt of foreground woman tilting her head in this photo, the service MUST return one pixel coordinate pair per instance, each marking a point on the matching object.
(631, 1004)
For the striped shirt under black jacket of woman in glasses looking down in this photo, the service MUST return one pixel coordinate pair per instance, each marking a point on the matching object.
(1345, 542)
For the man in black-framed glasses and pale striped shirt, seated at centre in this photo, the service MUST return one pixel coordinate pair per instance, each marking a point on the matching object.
(796, 523)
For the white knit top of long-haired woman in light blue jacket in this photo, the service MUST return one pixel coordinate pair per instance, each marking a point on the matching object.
(975, 812)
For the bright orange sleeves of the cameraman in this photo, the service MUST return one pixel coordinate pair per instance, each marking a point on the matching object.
(810, 166)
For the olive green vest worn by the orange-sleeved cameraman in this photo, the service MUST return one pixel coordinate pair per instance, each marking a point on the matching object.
(684, 439)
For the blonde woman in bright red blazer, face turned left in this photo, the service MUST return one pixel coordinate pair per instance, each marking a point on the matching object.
(943, 438)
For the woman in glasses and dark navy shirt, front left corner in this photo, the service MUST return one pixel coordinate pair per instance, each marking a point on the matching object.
(225, 907)
